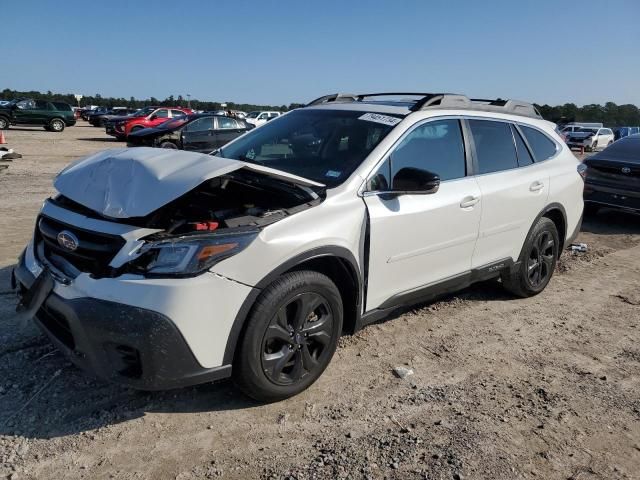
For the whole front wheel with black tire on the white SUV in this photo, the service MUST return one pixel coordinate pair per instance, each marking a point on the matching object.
(290, 337)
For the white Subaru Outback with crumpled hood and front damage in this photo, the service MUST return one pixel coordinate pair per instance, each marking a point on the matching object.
(160, 269)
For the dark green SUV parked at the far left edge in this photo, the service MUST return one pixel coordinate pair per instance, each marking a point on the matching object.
(54, 116)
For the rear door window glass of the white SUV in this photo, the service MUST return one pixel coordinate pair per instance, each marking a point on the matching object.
(494, 146)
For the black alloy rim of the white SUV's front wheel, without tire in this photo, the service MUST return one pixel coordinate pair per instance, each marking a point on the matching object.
(297, 339)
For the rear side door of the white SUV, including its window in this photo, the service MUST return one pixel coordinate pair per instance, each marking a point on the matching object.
(514, 188)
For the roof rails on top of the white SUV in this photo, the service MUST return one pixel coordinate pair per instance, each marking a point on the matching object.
(442, 100)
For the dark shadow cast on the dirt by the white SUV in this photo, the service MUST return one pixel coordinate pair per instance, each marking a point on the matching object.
(43, 395)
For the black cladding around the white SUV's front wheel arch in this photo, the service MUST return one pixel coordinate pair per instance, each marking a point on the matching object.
(337, 263)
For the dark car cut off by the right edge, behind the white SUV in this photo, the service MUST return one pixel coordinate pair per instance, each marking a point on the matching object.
(612, 177)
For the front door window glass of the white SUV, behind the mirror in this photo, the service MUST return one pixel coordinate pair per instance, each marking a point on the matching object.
(434, 146)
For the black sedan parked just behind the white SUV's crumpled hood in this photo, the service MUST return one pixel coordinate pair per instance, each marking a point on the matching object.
(199, 133)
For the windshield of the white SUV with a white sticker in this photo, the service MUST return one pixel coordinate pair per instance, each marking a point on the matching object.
(321, 145)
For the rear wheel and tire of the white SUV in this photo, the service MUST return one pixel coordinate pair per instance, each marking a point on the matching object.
(537, 260)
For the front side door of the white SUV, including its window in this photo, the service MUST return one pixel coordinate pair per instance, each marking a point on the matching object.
(424, 239)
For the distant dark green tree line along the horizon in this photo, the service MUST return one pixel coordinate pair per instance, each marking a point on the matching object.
(609, 114)
